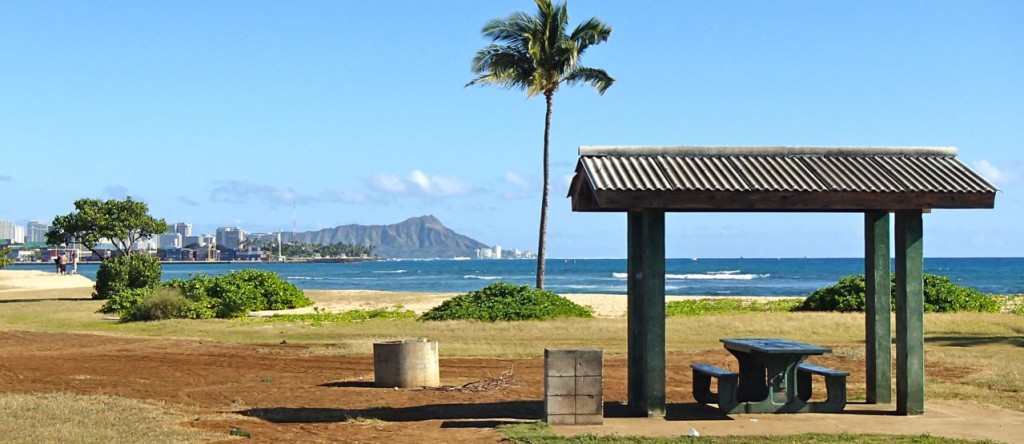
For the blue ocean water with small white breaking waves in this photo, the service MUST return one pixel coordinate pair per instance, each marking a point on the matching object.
(684, 277)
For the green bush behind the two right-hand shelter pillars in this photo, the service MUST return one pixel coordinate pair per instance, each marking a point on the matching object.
(942, 295)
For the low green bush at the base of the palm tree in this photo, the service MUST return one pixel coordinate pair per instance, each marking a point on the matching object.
(503, 301)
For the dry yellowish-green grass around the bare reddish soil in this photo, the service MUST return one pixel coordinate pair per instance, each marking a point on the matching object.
(987, 346)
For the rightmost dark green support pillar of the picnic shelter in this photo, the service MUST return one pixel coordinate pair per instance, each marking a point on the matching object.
(910, 314)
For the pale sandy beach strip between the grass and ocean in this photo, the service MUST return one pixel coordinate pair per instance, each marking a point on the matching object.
(331, 300)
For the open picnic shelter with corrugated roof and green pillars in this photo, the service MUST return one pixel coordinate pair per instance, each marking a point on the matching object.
(647, 183)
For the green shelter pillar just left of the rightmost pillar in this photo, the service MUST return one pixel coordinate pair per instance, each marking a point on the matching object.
(878, 308)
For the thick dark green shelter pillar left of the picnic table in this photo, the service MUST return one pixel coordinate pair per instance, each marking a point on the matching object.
(646, 293)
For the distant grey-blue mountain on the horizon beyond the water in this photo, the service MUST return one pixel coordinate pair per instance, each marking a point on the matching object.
(417, 238)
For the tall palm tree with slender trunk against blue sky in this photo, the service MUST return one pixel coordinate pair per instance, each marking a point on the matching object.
(534, 54)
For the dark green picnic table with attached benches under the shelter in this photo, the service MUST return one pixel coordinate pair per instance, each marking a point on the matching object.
(773, 379)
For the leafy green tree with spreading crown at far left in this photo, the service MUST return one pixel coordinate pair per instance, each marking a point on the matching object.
(123, 223)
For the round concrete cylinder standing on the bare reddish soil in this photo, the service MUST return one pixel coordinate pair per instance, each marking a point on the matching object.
(406, 364)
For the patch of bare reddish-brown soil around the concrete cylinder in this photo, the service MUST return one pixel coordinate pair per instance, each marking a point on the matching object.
(281, 393)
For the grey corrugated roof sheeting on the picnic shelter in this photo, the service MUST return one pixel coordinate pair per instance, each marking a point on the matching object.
(851, 170)
